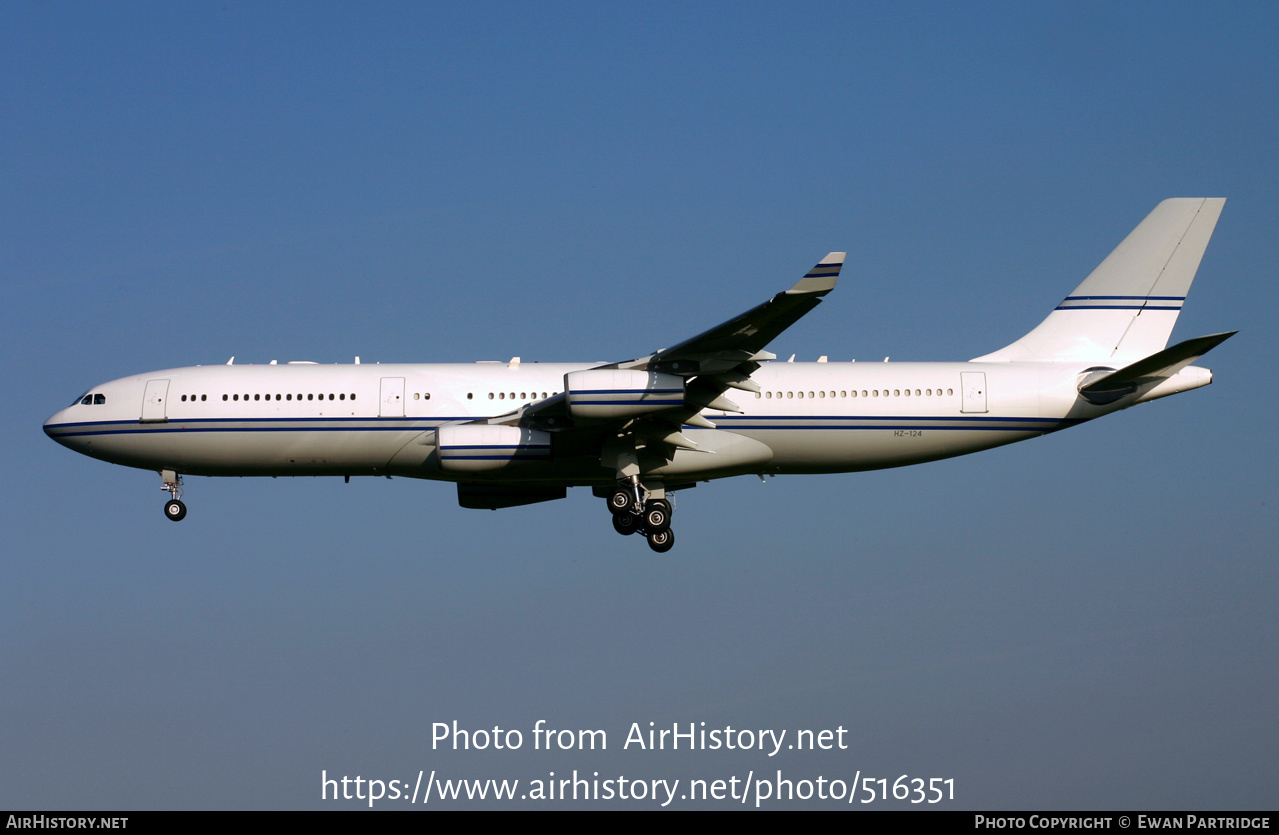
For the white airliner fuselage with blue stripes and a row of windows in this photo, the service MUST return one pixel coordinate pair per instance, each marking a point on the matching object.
(373, 420)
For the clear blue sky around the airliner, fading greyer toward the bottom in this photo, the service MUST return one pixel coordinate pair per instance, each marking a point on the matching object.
(1084, 621)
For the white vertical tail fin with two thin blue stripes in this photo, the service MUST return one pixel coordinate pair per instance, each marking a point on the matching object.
(1127, 308)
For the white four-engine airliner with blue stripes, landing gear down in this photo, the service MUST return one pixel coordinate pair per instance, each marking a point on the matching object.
(636, 432)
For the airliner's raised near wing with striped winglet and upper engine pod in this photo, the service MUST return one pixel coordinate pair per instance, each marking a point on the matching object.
(658, 394)
